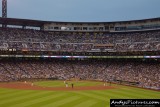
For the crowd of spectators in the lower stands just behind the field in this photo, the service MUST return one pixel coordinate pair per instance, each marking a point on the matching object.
(145, 73)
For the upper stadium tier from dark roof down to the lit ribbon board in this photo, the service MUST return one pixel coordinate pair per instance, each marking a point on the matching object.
(135, 39)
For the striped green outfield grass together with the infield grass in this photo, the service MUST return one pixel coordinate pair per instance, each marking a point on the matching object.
(32, 98)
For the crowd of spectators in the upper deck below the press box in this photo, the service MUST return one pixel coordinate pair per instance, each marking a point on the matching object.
(35, 40)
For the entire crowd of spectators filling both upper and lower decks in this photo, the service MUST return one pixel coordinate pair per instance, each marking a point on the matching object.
(146, 74)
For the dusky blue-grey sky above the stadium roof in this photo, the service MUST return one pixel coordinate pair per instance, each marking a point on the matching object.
(83, 10)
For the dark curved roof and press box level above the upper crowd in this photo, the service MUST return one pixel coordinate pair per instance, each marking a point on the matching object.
(118, 26)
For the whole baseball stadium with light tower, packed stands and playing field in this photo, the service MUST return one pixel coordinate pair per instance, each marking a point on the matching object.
(77, 64)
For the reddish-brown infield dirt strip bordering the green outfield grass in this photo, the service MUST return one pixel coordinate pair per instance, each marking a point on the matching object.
(28, 86)
